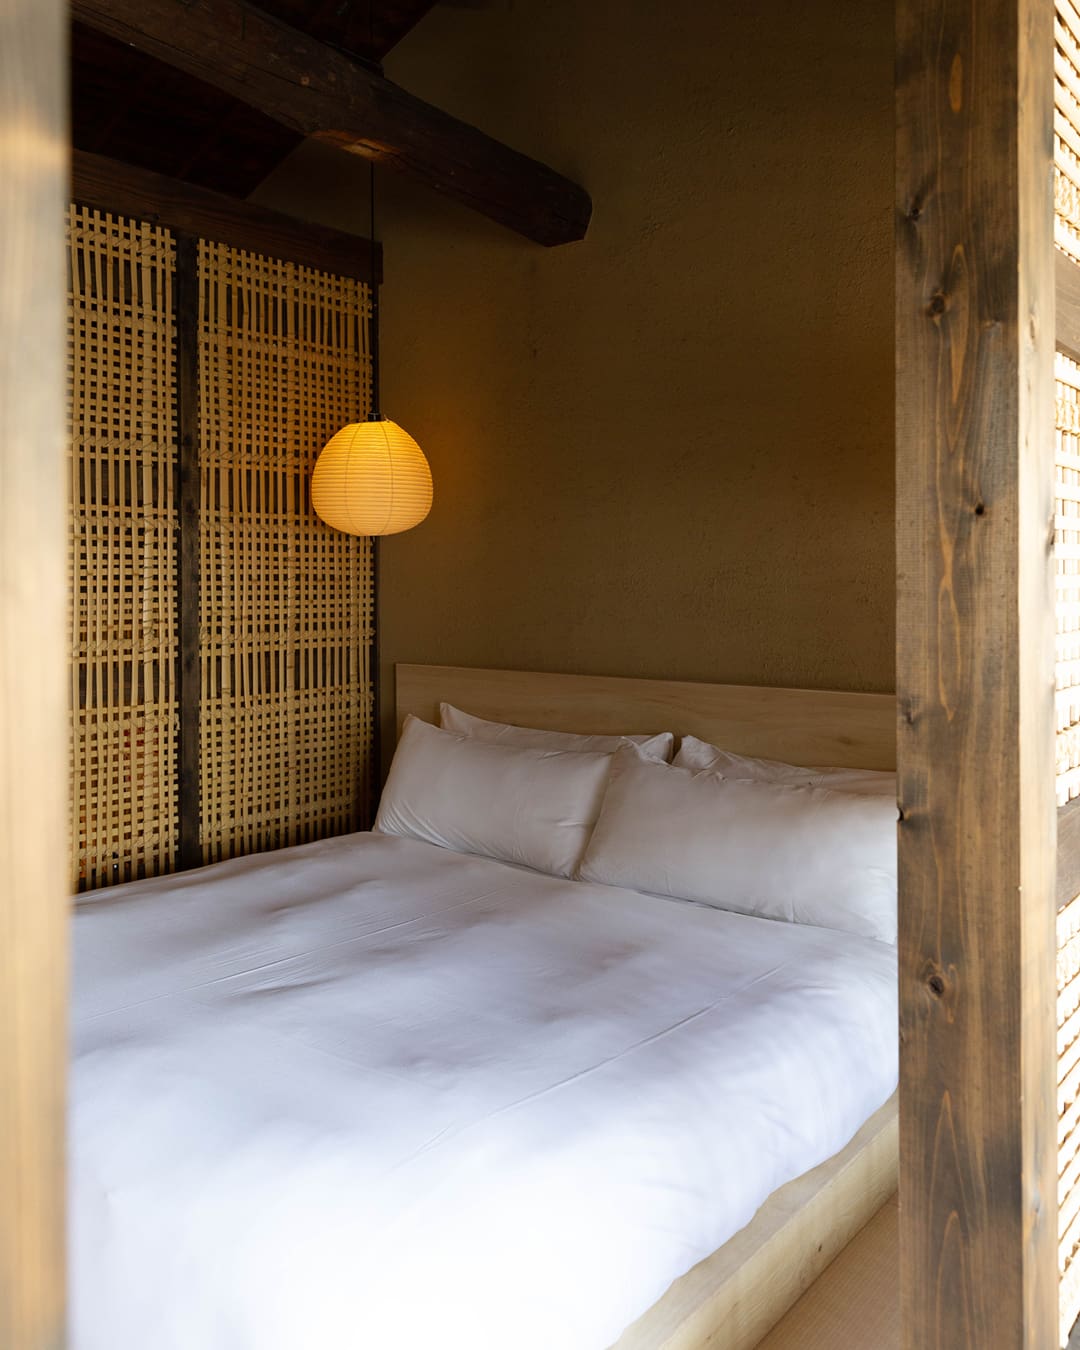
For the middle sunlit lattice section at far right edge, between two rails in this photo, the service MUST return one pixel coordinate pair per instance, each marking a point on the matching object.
(1067, 577)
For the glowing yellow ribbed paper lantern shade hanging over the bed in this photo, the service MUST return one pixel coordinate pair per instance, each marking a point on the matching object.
(372, 479)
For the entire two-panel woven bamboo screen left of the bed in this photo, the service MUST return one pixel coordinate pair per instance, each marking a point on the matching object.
(280, 709)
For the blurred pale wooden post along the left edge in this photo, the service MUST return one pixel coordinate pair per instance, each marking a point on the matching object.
(33, 665)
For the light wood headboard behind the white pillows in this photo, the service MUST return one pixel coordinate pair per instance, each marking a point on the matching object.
(797, 726)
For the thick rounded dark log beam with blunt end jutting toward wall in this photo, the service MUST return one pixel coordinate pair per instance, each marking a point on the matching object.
(319, 92)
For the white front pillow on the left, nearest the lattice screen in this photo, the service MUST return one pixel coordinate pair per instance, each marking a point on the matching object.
(530, 807)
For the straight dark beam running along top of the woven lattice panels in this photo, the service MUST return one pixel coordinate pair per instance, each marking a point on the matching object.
(126, 191)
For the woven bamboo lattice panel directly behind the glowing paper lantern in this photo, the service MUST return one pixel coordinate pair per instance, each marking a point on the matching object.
(287, 719)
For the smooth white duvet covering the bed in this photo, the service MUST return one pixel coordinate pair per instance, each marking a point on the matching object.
(372, 1096)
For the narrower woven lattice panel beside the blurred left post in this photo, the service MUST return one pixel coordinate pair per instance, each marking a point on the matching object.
(122, 549)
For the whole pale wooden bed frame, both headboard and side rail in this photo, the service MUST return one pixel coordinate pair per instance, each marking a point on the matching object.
(732, 1299)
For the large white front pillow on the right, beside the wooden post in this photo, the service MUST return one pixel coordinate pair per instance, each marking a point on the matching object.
(800, 854)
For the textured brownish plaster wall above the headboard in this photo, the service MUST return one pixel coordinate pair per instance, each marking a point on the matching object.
(665, 452)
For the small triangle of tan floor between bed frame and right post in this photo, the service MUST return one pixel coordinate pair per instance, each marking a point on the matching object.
(855, 1303)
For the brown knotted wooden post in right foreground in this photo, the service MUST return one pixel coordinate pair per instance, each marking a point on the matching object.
(975, 337)
